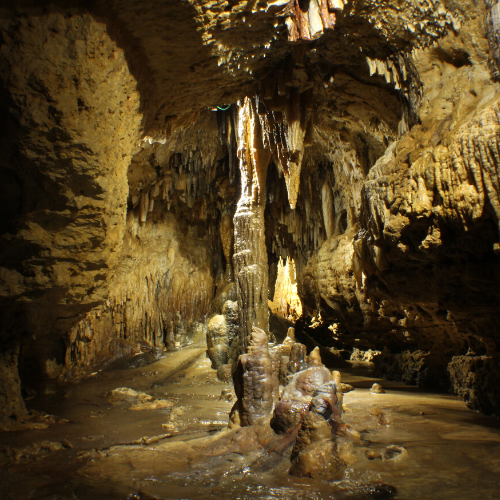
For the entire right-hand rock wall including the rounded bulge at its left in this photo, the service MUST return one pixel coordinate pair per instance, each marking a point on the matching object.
(419, 268)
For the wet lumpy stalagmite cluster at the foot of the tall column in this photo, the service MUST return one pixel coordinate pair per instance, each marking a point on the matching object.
(304, 398)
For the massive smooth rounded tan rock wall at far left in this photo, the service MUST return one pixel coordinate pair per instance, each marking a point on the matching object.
(71, 120)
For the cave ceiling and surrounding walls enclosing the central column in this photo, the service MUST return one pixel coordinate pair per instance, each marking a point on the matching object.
(118, 179)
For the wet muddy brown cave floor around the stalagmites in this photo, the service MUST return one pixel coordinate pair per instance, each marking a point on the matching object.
(178, 445)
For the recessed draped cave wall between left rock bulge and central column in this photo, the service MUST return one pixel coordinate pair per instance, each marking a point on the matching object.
(171, 258)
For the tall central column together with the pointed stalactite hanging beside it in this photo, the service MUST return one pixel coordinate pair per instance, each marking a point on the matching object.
(265, 128)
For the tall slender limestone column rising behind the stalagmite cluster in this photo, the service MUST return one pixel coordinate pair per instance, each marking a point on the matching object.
(250, 253)
